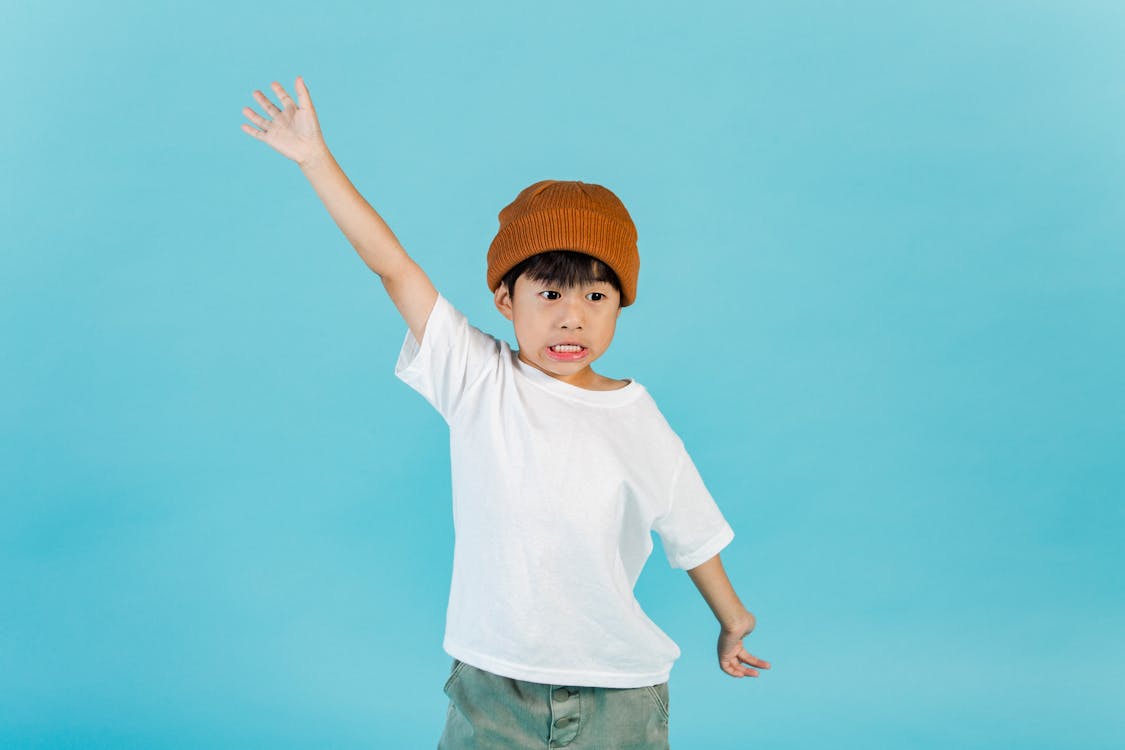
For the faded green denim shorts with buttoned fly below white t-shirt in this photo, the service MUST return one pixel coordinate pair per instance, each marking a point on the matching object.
(490, 712)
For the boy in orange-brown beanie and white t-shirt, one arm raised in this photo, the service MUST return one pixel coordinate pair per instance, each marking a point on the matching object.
(560, 474)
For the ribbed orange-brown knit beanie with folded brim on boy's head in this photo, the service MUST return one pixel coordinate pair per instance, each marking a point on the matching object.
(566, 215)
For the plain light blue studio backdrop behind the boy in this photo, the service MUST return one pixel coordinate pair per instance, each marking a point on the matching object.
(881, 300)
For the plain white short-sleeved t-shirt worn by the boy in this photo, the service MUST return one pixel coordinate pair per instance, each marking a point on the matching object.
(556, 491)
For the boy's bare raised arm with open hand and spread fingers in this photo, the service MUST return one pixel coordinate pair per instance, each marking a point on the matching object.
(295, 133)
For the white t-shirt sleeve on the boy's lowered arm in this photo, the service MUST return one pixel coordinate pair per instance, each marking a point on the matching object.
(694, 530)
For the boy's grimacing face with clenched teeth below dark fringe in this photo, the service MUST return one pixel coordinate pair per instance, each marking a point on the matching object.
(547, 315)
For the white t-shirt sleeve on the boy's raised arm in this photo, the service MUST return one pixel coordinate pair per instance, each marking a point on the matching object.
(451, 358)
